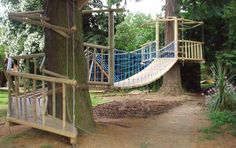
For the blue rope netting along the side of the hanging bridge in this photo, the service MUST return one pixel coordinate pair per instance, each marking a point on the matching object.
(126, 64)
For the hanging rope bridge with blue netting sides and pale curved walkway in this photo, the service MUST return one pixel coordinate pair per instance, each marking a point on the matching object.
(132, 69)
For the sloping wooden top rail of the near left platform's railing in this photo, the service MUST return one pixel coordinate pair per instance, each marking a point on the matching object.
(42, 78)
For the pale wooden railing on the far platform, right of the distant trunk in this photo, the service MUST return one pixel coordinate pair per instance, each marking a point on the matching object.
(190, 50)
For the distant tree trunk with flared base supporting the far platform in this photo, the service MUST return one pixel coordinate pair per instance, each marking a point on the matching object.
(172, 79)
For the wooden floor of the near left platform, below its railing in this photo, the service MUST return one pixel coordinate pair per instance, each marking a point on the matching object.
(24, 116)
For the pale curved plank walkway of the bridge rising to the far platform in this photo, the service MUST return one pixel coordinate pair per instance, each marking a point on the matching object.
(151, 73)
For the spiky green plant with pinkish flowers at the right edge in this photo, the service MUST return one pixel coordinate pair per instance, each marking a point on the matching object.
(223, 96)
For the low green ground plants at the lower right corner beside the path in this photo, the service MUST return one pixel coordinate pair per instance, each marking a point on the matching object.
(222, 121)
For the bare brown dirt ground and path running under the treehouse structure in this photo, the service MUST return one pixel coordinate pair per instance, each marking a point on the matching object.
(177, 127)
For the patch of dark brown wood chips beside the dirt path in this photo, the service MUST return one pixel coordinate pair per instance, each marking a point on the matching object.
(133, 109)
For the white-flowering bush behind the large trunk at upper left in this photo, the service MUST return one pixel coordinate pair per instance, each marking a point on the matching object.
(20, 38)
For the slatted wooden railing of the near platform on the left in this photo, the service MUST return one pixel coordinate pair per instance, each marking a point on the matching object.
(28, 101)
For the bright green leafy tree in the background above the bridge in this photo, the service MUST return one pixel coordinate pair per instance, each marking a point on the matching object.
(130, 35)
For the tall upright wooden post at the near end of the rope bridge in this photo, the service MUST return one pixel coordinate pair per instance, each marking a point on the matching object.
(112, 46)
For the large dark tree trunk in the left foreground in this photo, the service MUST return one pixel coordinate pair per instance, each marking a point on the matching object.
(62, 13)
